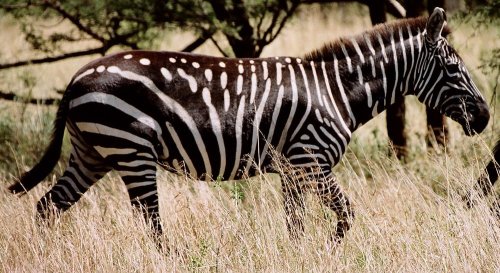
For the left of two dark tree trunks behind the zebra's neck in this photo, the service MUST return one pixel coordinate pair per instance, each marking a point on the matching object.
(395, 114)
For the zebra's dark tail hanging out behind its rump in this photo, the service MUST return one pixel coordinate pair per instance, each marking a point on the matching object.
(31, 178)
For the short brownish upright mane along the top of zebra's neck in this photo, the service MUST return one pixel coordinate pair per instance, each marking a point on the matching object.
(386, 31)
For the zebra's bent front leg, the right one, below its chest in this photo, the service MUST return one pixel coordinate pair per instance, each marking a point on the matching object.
(332, 196)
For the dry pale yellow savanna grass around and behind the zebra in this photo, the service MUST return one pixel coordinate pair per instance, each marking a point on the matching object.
(410, 216)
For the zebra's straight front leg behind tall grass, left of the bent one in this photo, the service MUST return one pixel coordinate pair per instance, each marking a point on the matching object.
(294, 206)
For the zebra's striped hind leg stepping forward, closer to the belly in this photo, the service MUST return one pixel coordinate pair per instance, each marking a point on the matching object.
(140, 180)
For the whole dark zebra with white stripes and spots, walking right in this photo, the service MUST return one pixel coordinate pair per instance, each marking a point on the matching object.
(223, 118)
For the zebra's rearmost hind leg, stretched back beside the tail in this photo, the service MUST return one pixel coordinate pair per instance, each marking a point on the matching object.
(81, 173)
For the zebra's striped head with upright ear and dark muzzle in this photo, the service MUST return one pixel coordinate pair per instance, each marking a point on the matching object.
(445, 84)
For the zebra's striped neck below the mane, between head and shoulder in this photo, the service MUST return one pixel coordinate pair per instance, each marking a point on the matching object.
(366, 82)
